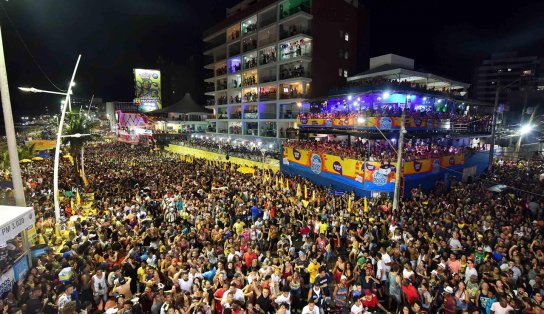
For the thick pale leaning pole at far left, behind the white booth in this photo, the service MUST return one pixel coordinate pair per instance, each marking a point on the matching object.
(10, 131)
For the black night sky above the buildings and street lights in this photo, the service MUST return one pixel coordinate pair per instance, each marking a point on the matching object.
(115, 36)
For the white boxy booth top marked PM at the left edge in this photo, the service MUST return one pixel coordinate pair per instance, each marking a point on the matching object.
(13, 220)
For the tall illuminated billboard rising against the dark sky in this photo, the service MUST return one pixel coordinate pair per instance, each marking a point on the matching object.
(147, 85)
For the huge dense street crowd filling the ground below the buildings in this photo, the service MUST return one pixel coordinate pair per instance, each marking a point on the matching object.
(196, 236)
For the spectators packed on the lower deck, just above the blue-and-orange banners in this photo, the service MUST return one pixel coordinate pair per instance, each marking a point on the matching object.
(380, 150)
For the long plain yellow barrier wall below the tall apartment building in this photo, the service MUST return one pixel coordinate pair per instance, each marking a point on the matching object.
(271, 164)
